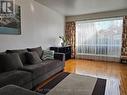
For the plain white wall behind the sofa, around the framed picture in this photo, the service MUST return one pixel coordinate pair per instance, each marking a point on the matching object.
(41, 26)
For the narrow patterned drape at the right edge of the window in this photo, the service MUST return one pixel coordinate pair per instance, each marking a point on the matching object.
(124, 37)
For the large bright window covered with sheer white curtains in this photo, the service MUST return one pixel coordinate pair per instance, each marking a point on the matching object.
(101, 37)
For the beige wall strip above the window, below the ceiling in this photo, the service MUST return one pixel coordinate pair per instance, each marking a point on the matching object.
(117, 13)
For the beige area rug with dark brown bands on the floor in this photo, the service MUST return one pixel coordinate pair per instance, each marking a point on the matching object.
(73, 84)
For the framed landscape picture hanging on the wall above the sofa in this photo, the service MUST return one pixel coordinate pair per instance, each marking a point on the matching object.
(12, 24)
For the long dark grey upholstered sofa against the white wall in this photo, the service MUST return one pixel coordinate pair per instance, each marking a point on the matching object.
(16, 69)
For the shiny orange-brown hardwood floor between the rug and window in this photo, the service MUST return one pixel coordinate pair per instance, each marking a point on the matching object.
(115, 73)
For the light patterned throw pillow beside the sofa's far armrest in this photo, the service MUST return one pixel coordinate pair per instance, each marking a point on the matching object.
(47, 54)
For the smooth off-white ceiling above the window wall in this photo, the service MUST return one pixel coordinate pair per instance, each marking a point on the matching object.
(78, 7)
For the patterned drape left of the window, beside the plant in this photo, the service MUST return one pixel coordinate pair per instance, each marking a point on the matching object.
(70, 33)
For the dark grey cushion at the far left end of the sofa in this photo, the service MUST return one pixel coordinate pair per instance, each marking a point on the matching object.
(9, 62)
